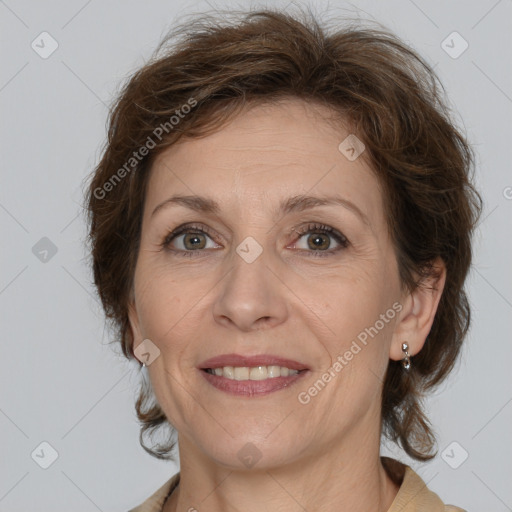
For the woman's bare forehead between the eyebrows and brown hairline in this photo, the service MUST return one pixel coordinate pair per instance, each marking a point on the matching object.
(267, 153)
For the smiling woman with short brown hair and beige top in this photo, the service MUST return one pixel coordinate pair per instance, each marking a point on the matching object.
(281, 230)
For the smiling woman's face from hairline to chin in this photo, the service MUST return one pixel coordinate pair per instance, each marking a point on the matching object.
(267, 275)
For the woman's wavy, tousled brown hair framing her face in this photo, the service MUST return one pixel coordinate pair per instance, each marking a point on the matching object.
(393, 102)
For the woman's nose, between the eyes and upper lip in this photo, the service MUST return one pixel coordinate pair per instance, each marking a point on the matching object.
(251, 296)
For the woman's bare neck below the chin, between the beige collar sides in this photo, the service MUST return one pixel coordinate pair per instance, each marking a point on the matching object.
(348, 480)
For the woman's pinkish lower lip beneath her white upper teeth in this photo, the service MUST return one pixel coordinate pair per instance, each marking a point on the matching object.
(251, 387)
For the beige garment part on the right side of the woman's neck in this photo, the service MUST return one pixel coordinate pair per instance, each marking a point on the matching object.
(415, 496)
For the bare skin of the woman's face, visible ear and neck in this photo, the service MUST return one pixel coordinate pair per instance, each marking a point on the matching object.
(323, 455)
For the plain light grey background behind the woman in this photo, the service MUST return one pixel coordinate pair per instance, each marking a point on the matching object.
(61, 382)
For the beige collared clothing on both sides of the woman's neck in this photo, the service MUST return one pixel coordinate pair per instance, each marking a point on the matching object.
(413, 495)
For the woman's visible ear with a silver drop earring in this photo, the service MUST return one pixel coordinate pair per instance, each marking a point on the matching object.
(419, 310)
